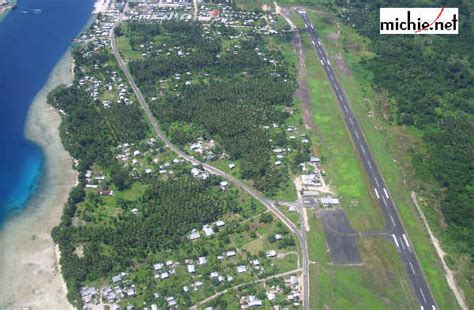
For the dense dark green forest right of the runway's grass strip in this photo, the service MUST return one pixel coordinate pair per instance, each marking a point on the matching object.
(431, 79)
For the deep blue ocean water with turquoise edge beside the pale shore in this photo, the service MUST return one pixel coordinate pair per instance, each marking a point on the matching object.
(33, 38)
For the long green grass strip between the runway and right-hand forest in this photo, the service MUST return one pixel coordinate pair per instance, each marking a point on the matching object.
(386, 142)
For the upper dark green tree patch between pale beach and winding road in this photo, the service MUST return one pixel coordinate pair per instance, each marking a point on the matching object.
(88, 132)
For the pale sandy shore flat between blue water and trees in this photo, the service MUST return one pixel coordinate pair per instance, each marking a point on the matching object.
(30, 274)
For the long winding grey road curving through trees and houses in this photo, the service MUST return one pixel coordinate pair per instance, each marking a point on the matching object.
(257, 195)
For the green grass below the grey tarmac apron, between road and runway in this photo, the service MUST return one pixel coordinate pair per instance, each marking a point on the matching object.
(380, 283)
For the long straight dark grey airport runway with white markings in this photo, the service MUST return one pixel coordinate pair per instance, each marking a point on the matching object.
(393, 223)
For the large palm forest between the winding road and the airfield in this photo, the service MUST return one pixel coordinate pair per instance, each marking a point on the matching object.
(237, 92)
